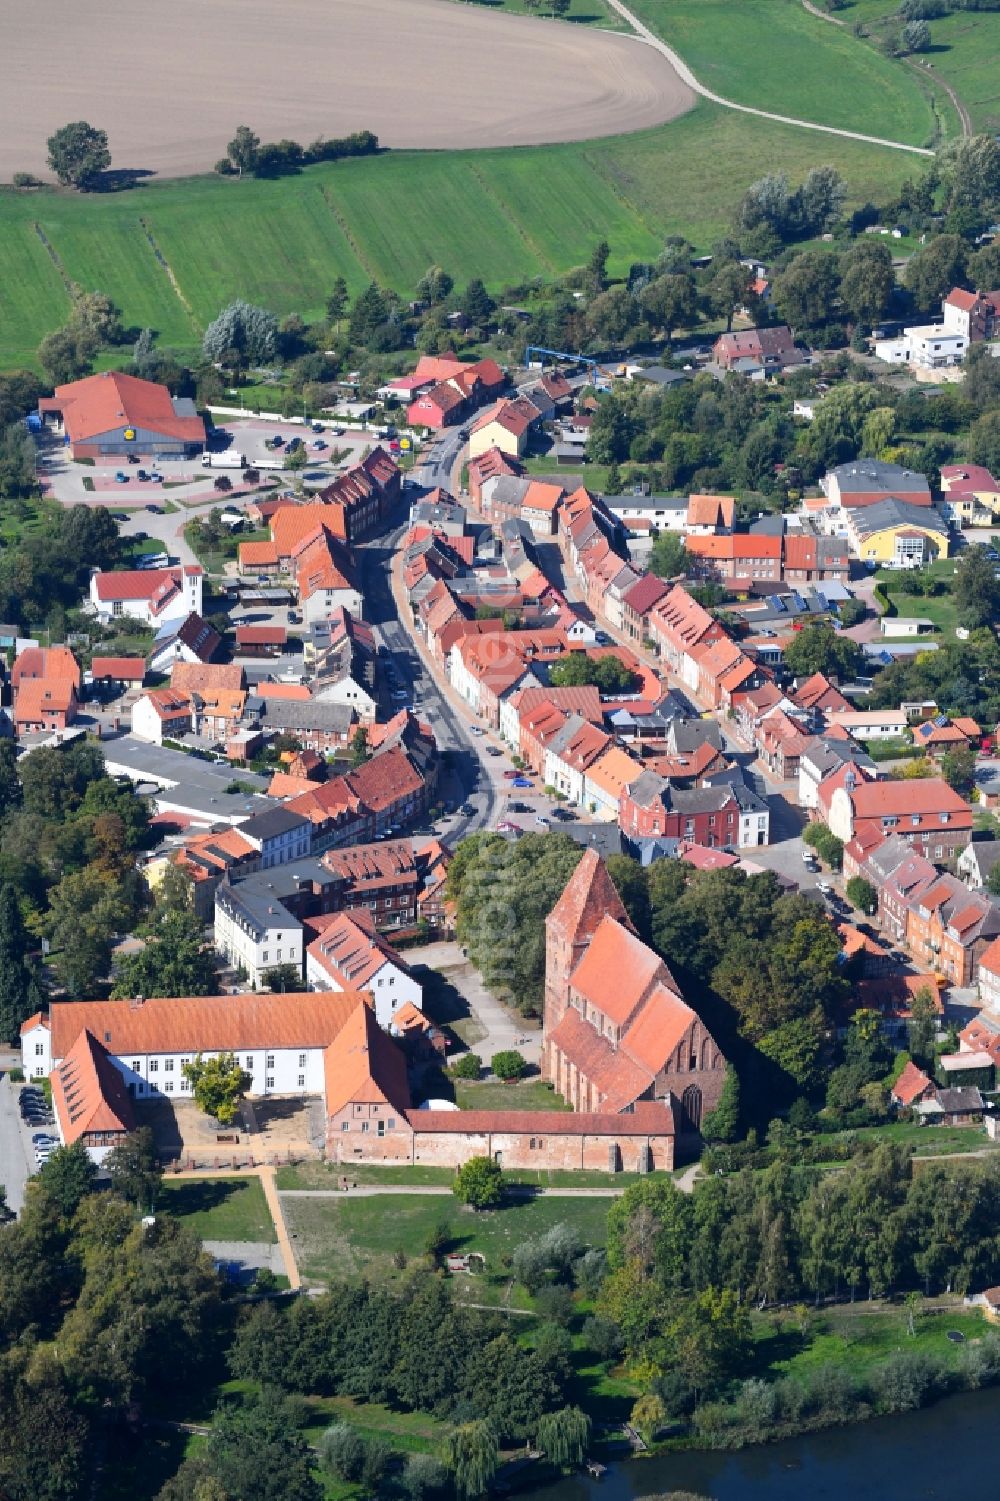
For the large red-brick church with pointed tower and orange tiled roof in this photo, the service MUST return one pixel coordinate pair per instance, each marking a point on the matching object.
(618, 1030)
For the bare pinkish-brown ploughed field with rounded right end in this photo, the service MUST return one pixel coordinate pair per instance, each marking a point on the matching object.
(170, 80)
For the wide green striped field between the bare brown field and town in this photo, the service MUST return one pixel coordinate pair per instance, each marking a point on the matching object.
(172, 254)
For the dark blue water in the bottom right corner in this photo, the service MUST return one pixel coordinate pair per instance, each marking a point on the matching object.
(939, 1454)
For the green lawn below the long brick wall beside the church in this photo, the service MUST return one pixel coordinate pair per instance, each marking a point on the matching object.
(360, 1236)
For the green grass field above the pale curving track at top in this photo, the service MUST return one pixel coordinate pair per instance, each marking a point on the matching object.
(777, 56)
